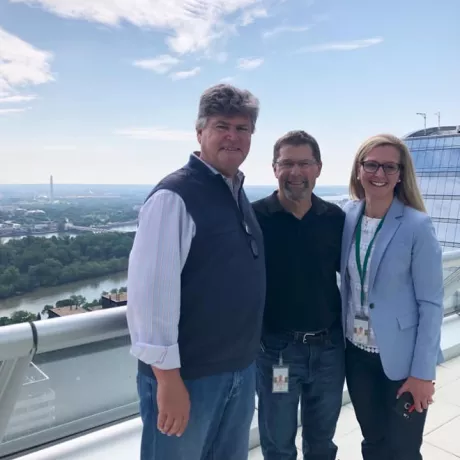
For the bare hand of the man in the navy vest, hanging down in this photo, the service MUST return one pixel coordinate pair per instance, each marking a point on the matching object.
(173, 402)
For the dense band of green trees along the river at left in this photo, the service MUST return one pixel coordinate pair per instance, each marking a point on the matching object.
(33, 262)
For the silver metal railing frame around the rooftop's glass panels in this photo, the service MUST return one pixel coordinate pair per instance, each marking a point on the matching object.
(20, 343)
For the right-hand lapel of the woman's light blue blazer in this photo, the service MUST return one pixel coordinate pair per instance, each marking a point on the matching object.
(389, 227)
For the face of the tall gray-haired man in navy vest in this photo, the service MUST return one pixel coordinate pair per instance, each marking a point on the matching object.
(225, 142)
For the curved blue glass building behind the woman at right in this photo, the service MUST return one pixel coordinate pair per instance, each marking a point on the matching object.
(436, 154)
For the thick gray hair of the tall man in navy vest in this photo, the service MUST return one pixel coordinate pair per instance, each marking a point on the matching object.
(228, 101)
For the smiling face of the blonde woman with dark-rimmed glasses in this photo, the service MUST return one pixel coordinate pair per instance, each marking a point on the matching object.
(379, 172)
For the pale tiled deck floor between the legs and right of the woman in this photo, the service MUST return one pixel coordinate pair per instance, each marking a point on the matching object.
(442, 430)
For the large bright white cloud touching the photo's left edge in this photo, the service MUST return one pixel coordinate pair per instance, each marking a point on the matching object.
(22, 64)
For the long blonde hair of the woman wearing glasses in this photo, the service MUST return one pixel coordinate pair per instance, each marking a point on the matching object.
(407, 191)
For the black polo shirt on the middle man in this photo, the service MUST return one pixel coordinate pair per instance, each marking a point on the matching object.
(302, 262)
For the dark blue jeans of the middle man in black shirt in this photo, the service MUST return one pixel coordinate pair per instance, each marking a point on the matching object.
(316, 378)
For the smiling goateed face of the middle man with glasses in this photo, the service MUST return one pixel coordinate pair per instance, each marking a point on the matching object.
(296, 170)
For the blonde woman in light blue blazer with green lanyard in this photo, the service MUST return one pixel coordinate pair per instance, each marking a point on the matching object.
(392, 301)
